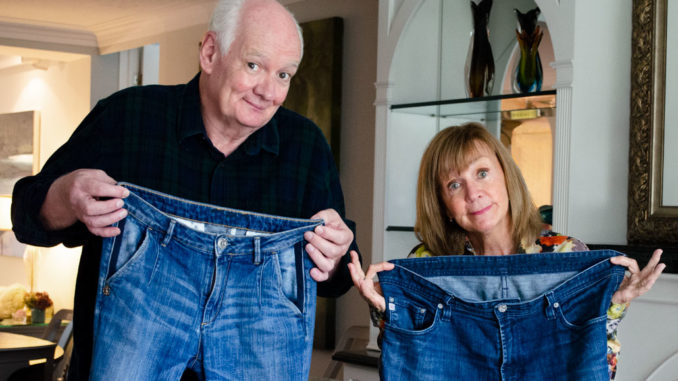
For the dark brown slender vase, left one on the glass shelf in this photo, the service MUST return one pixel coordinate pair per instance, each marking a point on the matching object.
(480, 66)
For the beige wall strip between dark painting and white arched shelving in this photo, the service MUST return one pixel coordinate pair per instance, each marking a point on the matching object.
(357, 125)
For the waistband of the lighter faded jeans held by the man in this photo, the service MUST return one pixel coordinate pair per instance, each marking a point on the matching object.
(206, 227)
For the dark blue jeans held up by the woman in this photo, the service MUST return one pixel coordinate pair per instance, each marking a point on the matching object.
(515, 317)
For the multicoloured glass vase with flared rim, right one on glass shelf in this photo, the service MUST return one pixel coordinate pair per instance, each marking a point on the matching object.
(529, 74)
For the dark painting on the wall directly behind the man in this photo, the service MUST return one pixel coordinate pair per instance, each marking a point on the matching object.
(315, 92)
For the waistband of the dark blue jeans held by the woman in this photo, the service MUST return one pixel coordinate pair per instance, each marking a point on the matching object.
(587, 267)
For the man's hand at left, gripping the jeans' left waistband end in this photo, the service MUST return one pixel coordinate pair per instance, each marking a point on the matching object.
(86, 195)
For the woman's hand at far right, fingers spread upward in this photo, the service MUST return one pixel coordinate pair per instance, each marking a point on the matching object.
(639, 281)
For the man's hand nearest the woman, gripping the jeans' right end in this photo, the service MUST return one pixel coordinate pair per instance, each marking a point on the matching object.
(327, 244)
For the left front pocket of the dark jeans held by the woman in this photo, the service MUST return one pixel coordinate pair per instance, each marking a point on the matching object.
(409, 316)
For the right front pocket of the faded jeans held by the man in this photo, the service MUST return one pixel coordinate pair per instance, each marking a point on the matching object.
(289, 272)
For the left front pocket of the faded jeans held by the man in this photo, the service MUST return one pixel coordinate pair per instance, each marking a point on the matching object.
(134, 247)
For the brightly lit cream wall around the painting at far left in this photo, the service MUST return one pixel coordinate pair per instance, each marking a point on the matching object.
(61, 95)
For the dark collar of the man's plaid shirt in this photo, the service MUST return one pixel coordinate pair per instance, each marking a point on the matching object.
(191, 124)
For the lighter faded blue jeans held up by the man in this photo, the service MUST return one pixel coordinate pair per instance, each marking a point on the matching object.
(224, 292)
